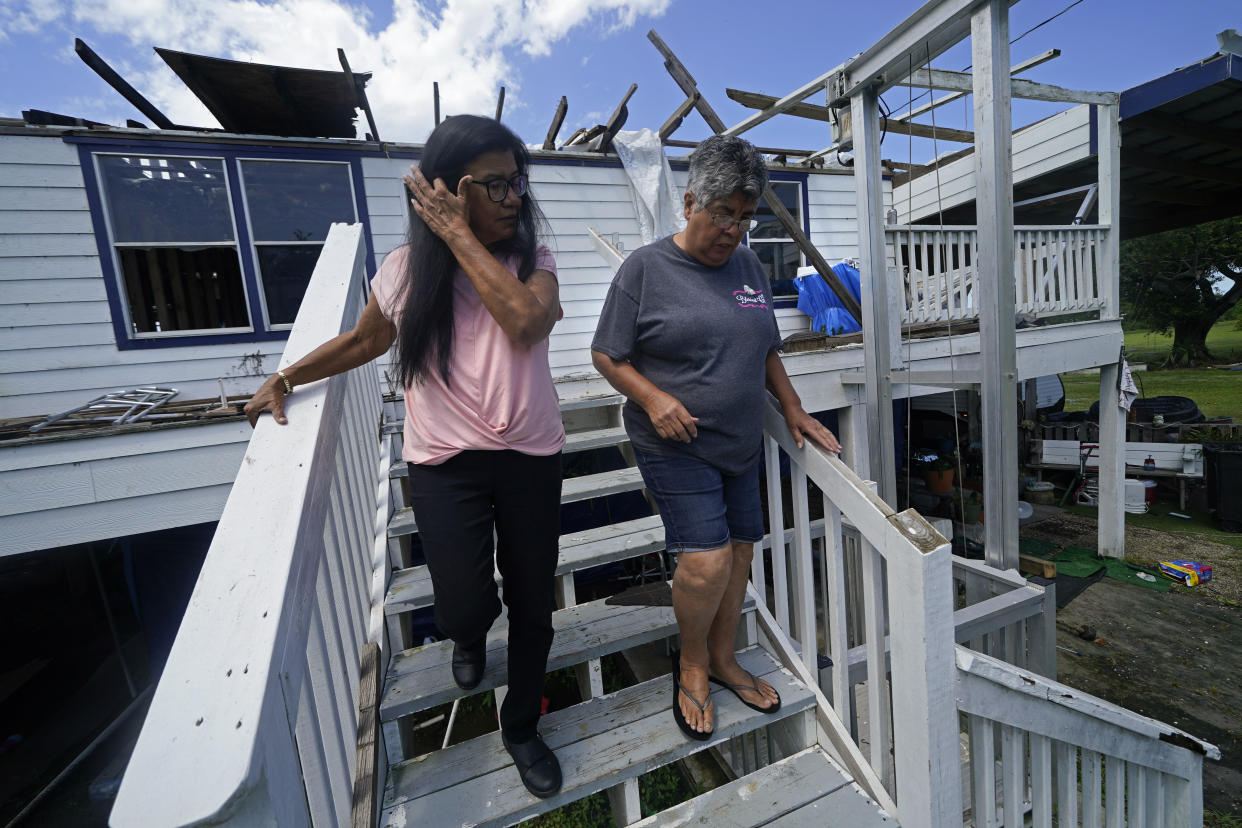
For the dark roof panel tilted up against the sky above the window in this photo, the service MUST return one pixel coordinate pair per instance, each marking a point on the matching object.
(261, 100)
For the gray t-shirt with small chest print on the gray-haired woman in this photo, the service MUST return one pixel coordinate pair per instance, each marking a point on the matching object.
(701, 335)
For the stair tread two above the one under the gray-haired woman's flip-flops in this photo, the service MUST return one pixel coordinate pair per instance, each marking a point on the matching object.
(410, 589)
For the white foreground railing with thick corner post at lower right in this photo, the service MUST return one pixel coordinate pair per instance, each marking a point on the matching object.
(889, 712)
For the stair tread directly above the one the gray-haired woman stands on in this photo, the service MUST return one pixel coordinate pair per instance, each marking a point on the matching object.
(420, 678)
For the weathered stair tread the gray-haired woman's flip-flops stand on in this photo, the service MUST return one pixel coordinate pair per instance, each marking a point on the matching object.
(599, 743)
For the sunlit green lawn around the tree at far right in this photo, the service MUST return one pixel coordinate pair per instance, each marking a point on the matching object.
(1218, 392)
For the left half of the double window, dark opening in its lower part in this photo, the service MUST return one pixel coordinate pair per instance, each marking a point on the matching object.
(172, 232)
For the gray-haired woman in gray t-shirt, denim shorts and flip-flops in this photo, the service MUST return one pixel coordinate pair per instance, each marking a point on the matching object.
(689, 336)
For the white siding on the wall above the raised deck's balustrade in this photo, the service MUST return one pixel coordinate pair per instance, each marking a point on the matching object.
(1040, 148)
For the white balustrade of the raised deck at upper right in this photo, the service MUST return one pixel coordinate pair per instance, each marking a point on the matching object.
(1056, 270)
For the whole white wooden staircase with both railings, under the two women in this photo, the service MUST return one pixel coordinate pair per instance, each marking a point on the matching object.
(283, 696)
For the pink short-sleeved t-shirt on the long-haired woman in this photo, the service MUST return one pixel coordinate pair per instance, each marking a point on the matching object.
(501, 395)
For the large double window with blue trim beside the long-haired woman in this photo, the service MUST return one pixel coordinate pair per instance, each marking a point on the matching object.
(178, 239)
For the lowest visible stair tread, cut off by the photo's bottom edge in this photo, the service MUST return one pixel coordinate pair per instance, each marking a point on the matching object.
(807, 789)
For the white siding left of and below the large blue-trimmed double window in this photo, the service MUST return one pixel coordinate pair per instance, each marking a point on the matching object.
(58, 348)
